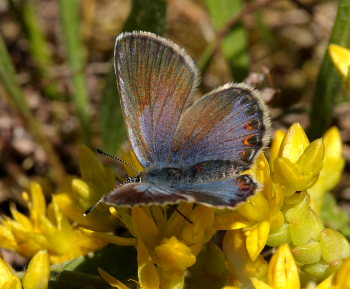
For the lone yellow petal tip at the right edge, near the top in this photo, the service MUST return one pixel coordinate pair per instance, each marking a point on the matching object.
(341, 58)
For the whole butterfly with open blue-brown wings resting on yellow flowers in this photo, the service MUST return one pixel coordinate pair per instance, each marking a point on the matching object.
(192, 150)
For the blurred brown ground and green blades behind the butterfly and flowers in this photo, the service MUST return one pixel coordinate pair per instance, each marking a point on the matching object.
(58, 89)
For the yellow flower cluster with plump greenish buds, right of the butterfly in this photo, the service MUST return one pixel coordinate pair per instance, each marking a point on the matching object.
(287, 209)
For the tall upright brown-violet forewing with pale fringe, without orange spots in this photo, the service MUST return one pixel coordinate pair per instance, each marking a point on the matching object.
(155, 79)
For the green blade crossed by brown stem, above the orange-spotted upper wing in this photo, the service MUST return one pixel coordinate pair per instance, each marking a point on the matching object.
(235, 44)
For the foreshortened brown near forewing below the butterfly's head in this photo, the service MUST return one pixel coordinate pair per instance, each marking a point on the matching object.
(143, 193)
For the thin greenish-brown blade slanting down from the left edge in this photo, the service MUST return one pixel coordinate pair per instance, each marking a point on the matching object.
(19, 102)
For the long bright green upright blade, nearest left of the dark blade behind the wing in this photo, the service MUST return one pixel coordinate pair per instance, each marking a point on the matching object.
(70, 18)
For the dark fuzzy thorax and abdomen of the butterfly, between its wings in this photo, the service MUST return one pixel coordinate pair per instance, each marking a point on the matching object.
(207, 171)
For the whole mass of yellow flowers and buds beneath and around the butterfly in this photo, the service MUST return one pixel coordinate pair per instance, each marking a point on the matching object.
(171, 248)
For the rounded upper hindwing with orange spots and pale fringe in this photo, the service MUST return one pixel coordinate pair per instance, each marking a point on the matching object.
(230, 123)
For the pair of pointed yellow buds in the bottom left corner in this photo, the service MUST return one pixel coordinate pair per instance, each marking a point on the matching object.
(36, 276)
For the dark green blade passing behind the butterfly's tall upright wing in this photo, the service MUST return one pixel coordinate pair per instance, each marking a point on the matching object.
(146, 15)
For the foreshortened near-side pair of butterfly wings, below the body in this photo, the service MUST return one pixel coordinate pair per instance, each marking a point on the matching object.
(226, 193)
